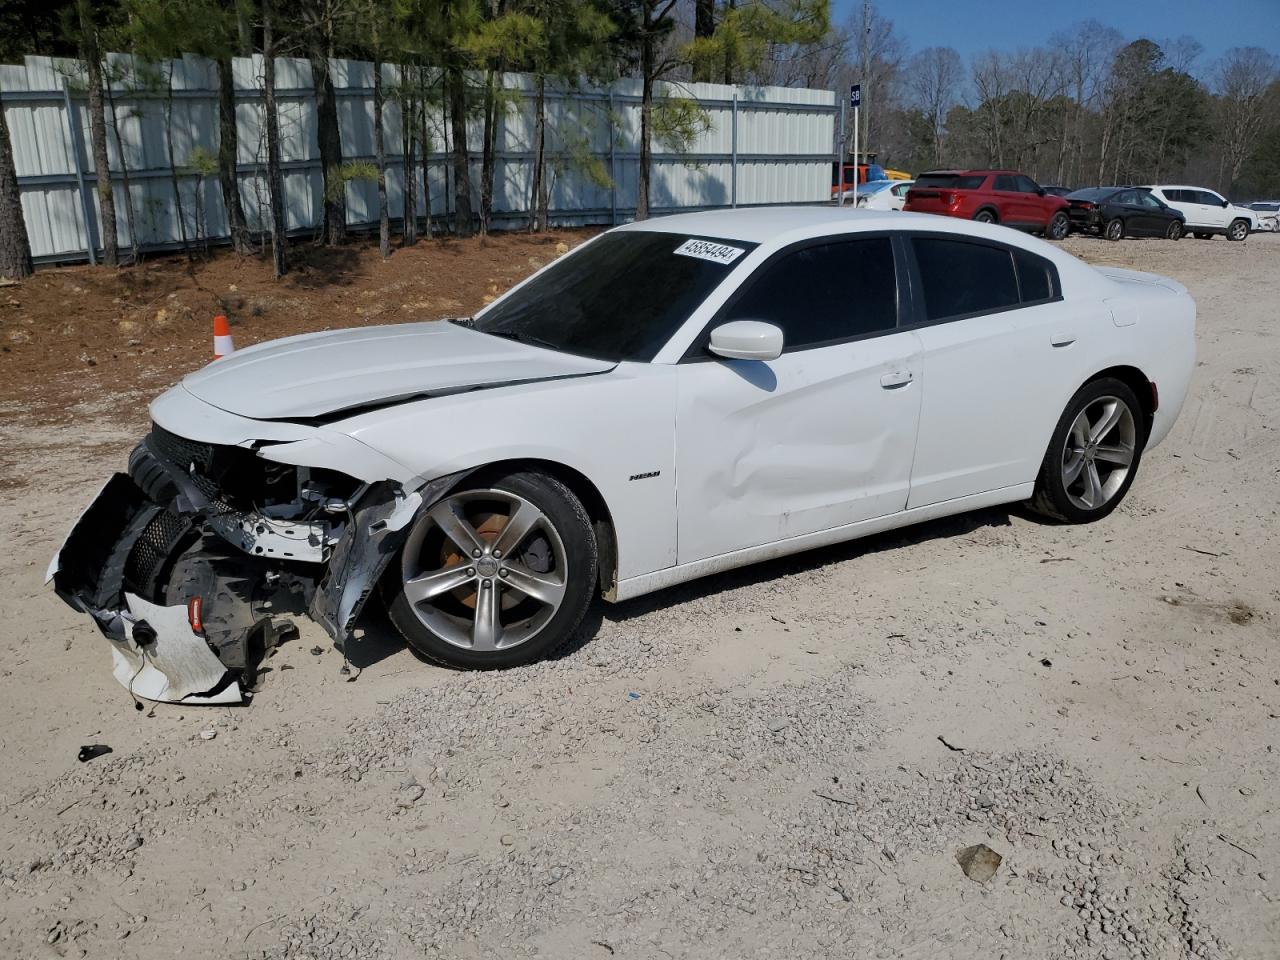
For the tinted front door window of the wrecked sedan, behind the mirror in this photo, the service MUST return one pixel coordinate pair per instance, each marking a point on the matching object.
(825, 294)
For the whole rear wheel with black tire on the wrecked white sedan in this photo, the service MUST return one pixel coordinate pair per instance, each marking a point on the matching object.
(1063, 490)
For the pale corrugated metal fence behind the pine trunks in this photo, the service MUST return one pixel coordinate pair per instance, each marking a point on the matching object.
(765, 145)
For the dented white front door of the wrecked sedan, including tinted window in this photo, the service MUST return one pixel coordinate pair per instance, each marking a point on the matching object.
(816, 440)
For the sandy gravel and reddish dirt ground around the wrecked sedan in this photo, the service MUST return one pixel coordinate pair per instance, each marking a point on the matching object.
(778, 762)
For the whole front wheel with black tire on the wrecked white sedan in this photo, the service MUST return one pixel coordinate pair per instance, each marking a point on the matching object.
(469, 611)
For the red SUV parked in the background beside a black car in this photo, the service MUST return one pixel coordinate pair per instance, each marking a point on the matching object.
(991, 196)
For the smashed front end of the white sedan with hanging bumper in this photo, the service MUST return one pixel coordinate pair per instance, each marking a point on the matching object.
(193, 563)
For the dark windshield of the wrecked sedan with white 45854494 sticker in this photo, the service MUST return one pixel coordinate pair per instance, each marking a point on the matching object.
(620, 298)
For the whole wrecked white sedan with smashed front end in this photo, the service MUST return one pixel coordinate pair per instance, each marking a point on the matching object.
(671, 400)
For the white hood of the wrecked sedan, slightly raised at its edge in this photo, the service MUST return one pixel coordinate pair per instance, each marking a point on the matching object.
(324, 373)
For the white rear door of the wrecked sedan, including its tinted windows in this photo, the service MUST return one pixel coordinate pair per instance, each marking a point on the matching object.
(998, 363)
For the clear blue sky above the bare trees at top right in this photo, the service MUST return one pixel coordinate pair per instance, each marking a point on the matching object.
(973, 26)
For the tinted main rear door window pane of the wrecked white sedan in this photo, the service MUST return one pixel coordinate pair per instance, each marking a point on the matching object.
(962, 278)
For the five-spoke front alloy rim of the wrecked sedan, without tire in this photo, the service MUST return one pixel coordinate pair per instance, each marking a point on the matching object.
(484, 570)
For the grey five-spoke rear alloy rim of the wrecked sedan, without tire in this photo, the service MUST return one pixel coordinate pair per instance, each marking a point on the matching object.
(1099, 454)
